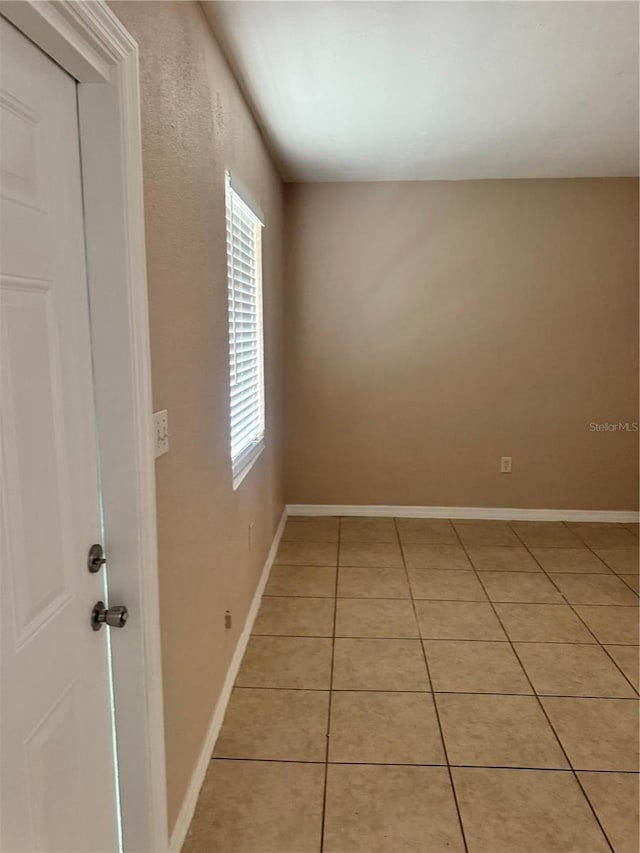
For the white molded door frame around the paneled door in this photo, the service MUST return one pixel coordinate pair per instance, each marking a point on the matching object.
(87, 40)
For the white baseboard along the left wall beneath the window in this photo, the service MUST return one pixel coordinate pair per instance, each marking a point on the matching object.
(191, 797)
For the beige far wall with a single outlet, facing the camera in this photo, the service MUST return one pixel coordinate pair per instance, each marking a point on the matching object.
(432, 328)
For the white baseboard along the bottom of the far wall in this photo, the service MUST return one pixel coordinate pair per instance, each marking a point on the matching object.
(481, 512)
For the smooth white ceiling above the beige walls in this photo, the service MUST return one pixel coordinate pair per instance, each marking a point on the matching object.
(359, 91)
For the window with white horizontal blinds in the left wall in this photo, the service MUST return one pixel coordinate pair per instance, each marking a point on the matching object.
(246, 353)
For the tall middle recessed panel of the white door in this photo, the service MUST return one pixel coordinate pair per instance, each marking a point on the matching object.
(41, 581)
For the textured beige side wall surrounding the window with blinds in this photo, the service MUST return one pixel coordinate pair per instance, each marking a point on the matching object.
(195, 125)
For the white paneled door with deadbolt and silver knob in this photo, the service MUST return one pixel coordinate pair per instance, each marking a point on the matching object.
(58, 780)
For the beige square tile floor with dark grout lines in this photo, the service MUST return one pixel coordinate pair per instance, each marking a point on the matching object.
(421, 686)
